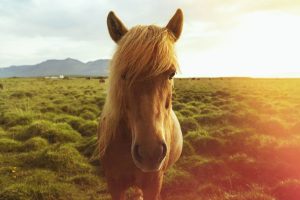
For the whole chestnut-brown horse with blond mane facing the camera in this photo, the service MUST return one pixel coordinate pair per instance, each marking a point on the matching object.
(139, 133)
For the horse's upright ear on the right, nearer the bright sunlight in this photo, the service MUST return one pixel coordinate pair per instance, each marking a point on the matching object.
(175, 24)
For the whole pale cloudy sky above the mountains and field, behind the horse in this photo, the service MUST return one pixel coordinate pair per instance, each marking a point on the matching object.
(219, 38)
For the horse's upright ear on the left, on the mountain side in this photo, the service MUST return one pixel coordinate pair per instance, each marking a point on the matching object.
(115, 27)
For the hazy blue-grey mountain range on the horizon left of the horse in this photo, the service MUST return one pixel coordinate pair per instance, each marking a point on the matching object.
(67, 67)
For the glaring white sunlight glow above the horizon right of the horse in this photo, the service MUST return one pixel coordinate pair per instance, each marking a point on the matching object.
(264, 44)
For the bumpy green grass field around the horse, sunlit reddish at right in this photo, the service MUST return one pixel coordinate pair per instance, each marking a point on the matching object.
(241, 140)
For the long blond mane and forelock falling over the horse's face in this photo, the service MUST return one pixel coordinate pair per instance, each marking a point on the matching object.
(142, 53)
